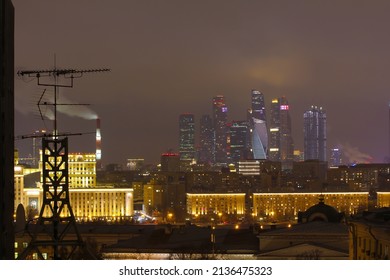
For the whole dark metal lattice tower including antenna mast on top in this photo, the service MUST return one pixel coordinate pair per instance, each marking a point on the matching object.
(56, 225)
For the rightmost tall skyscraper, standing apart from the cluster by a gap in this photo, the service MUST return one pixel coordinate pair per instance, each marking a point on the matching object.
(314, 128)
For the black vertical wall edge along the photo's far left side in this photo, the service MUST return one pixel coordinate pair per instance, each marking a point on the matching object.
(6, 130)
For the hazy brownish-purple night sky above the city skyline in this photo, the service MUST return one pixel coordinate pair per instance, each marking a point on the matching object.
(171, 57)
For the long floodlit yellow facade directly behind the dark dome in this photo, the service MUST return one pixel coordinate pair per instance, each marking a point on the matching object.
(285, 206)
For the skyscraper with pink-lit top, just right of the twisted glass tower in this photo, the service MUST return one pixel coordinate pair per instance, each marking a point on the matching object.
(281, 143)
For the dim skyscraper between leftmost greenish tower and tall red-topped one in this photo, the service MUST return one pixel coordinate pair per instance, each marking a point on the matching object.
(206, 140)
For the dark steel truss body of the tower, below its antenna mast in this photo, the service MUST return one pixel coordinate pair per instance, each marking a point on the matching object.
(56, 218)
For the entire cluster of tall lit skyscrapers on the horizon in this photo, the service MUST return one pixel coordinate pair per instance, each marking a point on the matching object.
(259, 137)
